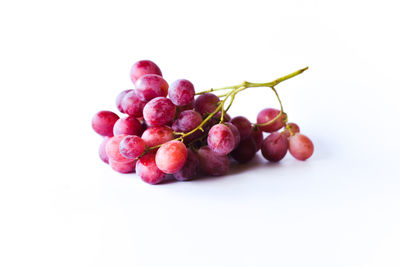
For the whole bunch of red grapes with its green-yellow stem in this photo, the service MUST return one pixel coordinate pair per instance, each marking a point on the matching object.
(167, 130)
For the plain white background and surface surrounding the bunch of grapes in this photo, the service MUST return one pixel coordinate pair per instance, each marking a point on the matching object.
(62, 61)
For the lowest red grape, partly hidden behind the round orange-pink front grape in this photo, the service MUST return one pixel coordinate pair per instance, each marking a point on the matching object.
(147, 169)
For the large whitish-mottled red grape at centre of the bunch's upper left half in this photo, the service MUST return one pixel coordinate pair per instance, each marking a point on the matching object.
(159, 111)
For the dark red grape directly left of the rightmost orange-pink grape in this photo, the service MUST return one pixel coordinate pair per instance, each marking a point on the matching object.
(274, 147)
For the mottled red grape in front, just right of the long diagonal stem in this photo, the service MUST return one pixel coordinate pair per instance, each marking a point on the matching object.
(221, 139)
